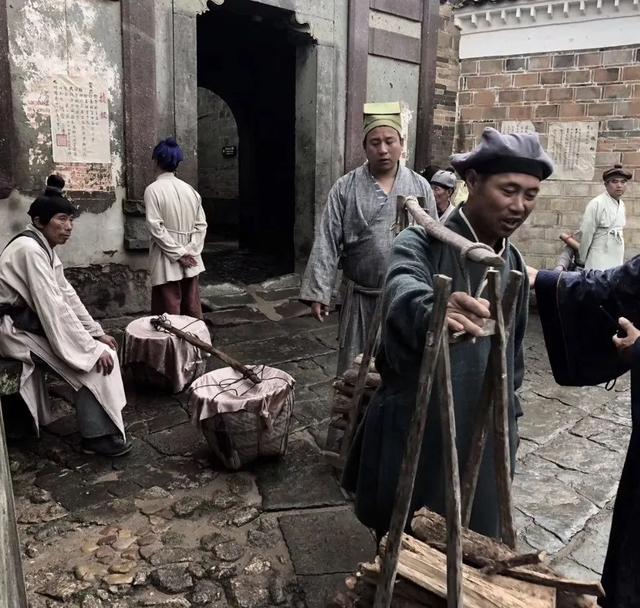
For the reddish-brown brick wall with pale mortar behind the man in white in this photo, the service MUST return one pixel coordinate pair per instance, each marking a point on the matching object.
(601, 85)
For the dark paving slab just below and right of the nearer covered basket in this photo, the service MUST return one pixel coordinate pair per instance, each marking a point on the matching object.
(300, 480)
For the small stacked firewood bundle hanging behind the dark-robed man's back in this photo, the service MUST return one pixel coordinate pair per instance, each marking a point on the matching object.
(342, 409)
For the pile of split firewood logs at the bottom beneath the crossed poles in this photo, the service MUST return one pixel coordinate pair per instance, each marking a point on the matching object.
(494, 576)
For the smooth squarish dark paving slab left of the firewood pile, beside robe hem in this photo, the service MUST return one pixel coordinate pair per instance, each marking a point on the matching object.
(326, 542)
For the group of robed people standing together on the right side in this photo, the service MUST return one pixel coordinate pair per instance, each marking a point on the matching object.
(502, 176)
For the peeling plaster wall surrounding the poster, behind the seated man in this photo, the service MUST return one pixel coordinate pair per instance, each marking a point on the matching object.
(73, 38)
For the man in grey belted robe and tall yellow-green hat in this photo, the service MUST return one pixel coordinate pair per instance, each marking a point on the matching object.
(356, 230)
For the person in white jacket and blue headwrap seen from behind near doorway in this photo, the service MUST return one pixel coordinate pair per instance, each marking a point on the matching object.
(178, 228)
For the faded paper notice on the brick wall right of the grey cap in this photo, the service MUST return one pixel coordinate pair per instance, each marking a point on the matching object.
(572, 146)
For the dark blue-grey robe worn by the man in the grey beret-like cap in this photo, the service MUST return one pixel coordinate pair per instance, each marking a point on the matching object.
(374, 461)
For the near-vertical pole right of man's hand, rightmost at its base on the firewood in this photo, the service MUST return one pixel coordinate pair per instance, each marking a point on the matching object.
(502, 450)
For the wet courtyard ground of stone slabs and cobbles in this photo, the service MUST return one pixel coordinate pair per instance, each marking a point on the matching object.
(166, 526)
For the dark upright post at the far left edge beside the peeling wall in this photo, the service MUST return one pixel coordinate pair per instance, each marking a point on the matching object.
(7, 124)
